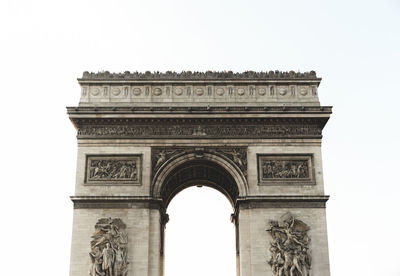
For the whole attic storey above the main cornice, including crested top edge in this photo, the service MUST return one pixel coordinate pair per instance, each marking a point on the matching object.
(194, 88)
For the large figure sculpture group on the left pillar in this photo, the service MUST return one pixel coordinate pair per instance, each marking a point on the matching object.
(109, 248)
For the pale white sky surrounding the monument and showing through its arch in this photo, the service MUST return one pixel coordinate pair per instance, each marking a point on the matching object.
(353, 45)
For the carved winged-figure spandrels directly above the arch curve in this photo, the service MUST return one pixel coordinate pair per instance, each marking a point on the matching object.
(237, 155)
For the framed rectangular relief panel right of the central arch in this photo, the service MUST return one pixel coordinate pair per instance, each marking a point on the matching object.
(285, 169)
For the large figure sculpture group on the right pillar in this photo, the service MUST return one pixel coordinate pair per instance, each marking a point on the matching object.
(290, 247)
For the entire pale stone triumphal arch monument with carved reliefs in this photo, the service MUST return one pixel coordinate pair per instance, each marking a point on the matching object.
(254, 136)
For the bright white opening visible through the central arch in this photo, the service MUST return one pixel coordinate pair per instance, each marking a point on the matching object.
(200, 239)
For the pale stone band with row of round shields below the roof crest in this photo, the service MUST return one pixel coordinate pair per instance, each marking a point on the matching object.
(136, 94)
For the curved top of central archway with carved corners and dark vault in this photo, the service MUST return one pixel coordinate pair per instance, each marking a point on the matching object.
(184, 167)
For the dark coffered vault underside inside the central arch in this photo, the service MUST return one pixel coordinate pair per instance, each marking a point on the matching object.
(199, 172)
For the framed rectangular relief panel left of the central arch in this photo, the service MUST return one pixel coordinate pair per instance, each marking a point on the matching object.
(113, 169)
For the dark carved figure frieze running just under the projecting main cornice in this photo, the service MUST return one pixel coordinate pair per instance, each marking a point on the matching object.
(261, 129)
